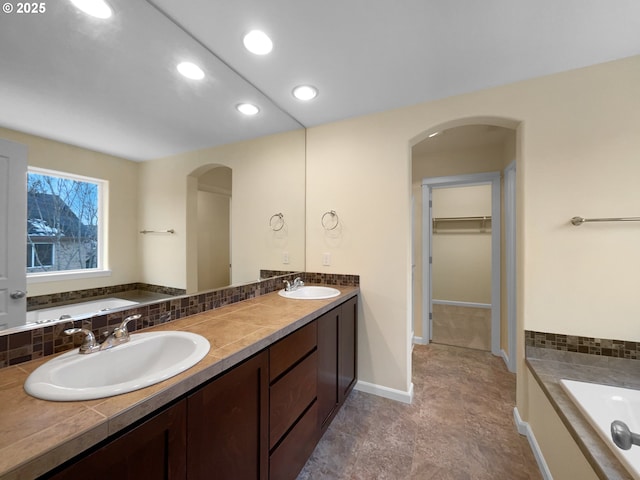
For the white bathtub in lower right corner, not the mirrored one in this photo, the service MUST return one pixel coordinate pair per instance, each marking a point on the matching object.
(601, 405)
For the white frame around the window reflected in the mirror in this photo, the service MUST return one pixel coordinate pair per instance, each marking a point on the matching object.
(101, 269)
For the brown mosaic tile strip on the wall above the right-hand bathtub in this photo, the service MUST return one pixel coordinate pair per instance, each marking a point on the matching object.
(592, 346)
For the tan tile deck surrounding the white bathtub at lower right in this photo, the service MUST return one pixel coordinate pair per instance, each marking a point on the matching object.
(550, 366)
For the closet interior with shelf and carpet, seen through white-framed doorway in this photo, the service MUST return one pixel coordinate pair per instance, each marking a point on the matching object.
(461, 270)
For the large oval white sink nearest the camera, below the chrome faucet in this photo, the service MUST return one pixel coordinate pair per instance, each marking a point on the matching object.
(148, 358)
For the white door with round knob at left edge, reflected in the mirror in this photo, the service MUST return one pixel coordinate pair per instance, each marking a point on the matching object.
(13, 234)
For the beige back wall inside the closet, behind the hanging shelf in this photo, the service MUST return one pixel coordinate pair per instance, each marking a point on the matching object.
(461, 270)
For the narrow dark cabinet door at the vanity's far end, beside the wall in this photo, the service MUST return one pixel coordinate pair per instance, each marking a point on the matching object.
(347, 350)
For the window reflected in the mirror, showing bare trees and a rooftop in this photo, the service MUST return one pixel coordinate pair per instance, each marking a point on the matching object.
(64, 223)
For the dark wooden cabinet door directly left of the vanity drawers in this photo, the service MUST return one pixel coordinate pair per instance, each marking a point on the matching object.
(228, 425)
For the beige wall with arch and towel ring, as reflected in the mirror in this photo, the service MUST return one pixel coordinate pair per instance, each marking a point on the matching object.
(268, 177)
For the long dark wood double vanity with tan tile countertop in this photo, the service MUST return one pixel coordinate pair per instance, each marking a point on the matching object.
(255, 407)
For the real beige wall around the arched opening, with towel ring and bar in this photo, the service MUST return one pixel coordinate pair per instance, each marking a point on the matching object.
(577, 152)
